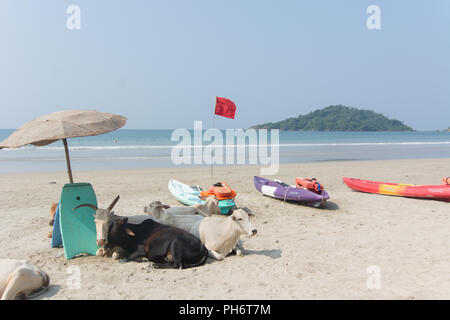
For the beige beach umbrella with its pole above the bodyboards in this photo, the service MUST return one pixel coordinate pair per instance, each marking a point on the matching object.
(62, 125)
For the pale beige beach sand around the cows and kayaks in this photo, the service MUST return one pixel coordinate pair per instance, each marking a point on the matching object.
(298, 253)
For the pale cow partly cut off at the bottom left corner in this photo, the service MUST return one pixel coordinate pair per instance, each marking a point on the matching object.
(20, 279)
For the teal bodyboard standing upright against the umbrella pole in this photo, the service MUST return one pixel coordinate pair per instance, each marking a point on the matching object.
(78, 226)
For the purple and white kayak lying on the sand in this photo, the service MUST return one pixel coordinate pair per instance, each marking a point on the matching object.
(283, 191)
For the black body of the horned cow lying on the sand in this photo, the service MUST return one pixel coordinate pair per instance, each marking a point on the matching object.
(159, 243)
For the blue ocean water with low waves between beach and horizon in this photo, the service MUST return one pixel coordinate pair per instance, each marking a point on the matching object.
(128, 149)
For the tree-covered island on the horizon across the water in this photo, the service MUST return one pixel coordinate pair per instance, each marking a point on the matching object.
(338, 118)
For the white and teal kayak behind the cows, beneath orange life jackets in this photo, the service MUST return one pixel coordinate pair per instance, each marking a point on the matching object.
(190, 195)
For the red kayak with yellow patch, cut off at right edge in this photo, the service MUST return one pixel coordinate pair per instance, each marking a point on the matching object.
(437, 192)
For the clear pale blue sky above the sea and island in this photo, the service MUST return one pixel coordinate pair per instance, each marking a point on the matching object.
(161, 63)
